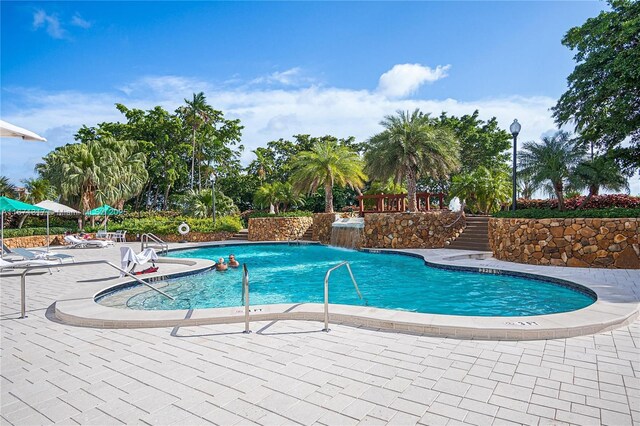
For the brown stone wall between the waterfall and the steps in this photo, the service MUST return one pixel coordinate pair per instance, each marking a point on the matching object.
(411, 230)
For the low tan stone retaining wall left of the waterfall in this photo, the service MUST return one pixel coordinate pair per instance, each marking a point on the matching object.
(278, 228)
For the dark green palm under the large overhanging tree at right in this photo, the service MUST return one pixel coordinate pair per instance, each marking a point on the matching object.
(599, 172)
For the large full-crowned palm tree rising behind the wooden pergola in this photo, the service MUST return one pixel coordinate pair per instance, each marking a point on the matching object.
(410, 147)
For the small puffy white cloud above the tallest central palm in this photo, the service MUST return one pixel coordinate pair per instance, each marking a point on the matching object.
(405, 79)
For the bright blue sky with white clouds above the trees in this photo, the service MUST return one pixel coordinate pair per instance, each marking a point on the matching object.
(281, 67)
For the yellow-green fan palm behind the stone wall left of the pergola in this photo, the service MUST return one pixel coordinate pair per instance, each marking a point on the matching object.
(327, 164)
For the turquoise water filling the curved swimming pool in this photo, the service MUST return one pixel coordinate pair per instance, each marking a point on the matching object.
(295, 274)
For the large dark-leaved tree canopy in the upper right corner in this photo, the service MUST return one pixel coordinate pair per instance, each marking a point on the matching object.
(603, 97)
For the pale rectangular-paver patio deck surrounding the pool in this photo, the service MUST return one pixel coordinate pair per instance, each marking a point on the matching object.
(289, 372)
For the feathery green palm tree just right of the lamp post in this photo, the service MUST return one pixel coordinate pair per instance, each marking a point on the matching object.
(553, 160)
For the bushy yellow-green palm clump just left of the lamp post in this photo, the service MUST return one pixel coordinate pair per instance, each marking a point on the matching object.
(483, 191)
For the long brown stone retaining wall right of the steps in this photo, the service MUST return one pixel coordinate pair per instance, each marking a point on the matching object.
(599, 243)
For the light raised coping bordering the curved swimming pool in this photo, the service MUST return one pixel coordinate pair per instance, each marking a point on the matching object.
(612, 308)
